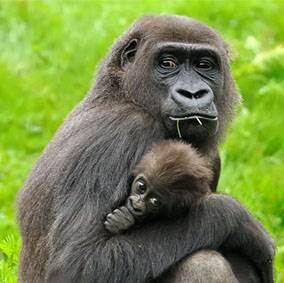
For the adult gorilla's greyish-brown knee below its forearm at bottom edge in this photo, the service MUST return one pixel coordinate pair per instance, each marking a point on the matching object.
(202, 267)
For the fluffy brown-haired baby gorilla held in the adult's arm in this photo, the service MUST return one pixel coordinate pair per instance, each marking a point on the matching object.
(169, 179)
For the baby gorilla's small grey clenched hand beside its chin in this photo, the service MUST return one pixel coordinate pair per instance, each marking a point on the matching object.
(120, 219)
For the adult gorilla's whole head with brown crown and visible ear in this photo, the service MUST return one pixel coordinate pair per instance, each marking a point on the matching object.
(177, 70)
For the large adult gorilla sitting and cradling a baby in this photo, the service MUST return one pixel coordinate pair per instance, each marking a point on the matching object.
(167, 77)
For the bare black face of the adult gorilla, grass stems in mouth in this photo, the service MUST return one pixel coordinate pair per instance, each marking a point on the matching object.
(189, 77)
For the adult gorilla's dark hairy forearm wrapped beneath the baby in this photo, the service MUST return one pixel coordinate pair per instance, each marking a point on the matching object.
(133, 258)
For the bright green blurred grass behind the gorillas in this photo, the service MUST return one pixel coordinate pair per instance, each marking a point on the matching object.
(49, 51)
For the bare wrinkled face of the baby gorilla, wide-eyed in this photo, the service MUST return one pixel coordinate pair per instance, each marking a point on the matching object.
(143, 199)
